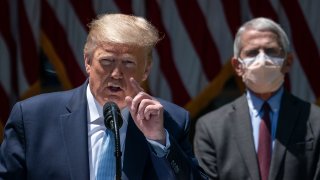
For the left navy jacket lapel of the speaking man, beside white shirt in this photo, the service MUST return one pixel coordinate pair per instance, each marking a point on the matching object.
(75, 134)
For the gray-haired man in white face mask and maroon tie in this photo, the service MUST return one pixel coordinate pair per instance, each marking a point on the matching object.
(267, 133)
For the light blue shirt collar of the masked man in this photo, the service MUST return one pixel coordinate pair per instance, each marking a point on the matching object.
(255, 103)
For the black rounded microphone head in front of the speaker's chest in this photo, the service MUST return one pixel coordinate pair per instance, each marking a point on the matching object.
(111, 113)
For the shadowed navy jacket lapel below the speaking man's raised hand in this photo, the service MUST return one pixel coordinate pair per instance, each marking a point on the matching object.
(136, 152)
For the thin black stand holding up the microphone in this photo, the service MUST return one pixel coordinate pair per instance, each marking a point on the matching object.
(117, 147)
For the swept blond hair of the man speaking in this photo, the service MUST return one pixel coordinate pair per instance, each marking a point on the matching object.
(121, 29)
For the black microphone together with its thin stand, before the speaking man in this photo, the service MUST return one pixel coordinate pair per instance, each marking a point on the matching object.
(113, 121)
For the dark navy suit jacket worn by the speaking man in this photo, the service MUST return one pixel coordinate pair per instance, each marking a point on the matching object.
(46, 137)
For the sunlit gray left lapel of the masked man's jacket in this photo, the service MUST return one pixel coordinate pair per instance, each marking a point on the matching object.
(244, 136)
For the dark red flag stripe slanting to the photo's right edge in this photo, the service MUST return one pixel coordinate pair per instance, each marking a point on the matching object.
(304, 43)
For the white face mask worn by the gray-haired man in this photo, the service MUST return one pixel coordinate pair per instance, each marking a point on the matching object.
(262, 74)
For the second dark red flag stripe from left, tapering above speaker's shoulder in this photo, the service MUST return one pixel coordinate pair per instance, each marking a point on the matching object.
(29, 55)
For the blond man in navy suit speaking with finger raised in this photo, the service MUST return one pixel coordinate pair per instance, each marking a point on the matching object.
(61, 135)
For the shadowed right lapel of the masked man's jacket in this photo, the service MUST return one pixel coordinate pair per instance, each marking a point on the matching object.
(288, 116)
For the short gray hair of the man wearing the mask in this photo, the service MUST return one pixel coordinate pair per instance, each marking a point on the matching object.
(261, 24)
